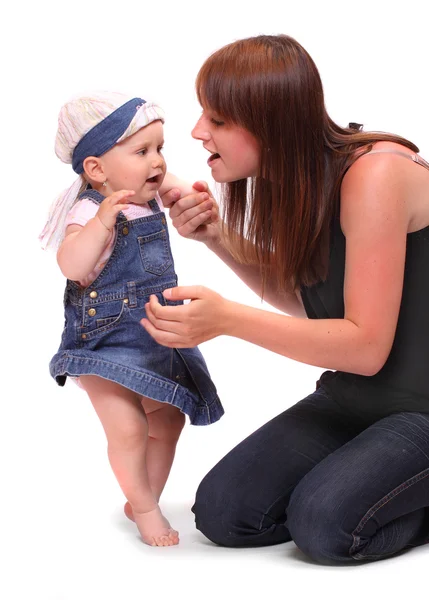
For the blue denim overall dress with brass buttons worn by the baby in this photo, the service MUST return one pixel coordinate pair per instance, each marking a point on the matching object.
(102, 333)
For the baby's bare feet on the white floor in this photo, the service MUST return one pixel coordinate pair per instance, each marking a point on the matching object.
(153, 527)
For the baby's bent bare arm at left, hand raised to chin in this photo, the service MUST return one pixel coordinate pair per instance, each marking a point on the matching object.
(83, 245)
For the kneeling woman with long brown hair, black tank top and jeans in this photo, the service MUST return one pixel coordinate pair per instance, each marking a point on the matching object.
(331, 224)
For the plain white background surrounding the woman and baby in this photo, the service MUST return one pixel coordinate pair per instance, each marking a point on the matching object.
(62, 532)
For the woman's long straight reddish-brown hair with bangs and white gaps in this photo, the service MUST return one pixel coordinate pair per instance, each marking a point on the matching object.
(270, 86)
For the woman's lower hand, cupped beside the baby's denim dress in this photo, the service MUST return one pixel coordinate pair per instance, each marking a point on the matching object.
(187, 325)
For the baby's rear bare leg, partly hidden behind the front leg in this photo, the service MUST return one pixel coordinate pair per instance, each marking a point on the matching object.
(165, 423)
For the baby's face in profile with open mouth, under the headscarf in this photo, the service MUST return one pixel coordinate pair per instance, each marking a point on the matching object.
(137, 163)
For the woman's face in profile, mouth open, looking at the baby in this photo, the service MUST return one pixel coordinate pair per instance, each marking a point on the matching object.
(234, 152)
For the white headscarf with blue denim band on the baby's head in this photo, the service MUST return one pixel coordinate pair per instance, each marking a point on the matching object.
(89, 126)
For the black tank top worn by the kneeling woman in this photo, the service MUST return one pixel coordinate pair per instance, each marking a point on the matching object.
(403, 382)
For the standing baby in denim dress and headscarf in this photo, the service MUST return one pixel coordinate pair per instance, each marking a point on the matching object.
(114, 249)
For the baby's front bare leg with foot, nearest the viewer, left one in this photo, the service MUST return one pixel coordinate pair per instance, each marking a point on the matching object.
(125, 424)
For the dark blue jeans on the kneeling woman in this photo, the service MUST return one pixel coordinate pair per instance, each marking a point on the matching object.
(343, 488)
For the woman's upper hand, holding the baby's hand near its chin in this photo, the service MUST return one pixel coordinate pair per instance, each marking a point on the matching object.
(195, 216)
